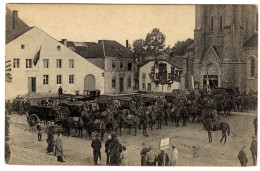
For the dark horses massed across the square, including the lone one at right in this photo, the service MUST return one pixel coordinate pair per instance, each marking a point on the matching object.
(140, 114)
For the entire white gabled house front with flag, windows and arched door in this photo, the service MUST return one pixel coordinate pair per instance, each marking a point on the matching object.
(41, 64)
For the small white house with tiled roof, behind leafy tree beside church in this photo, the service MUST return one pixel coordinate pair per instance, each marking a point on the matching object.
(147, 83)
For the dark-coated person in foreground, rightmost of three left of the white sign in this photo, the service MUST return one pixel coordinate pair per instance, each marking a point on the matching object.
(115, 149)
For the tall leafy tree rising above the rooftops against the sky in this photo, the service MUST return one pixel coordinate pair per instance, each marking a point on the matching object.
(154, 41)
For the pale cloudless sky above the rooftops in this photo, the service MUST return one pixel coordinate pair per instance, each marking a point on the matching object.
(90, 23)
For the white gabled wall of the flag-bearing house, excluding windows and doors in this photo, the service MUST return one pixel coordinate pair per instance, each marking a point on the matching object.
(33, 40)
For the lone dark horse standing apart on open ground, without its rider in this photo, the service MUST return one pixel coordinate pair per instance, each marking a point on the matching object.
(224, 127)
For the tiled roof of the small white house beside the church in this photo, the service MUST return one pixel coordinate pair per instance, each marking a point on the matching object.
(175, 60)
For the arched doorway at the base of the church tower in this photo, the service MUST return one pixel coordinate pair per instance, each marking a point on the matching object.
(211, 77)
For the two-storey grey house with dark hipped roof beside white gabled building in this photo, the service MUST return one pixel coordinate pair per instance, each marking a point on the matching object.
(116, 61)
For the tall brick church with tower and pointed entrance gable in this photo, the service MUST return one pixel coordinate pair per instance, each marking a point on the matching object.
(224, 49)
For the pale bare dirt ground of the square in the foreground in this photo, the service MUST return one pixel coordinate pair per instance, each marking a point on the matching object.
(191, 141)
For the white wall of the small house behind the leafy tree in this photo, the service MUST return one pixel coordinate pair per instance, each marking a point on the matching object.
(147, 70)
